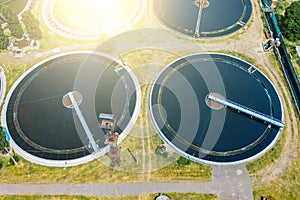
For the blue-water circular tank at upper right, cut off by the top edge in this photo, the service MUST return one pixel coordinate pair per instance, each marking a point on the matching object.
(216, 18)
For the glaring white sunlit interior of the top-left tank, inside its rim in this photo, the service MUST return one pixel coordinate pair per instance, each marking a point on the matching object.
(93, 15)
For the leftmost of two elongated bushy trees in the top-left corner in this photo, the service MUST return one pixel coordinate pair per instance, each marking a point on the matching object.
(12, 20)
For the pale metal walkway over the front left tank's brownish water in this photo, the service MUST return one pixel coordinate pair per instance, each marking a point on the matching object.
(83, 122)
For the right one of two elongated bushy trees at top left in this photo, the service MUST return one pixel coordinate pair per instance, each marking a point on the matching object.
(32, 25)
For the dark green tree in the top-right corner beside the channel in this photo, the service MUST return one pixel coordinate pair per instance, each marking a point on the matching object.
(290, 22)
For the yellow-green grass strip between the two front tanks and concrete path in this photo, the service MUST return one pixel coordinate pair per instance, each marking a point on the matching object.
(95, 172)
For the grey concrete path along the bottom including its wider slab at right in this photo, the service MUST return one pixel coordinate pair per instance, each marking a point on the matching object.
(231, 182)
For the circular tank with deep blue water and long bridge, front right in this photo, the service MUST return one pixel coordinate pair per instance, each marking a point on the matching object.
(189, 118)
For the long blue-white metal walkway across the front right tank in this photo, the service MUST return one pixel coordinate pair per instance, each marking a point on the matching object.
(246, 110)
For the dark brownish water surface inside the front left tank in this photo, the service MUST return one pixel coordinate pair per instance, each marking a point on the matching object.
(45, 128)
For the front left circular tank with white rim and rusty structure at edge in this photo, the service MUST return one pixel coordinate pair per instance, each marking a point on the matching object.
(43, 125)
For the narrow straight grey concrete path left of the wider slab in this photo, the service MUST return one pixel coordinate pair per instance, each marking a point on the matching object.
(103, 189)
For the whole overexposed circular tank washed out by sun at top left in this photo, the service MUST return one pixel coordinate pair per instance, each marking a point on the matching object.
(91, 19)
